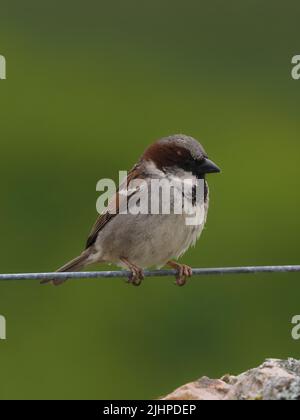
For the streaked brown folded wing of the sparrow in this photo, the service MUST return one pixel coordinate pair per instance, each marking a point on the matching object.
(116, 202)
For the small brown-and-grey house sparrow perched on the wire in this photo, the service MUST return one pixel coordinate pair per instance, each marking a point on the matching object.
(137, 241)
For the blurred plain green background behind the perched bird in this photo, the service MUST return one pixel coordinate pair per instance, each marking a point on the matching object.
(90, 85)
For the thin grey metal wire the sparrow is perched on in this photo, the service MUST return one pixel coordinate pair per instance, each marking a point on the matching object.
(156, 273)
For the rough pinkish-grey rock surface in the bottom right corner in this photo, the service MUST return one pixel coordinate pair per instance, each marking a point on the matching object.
(273, 380)
